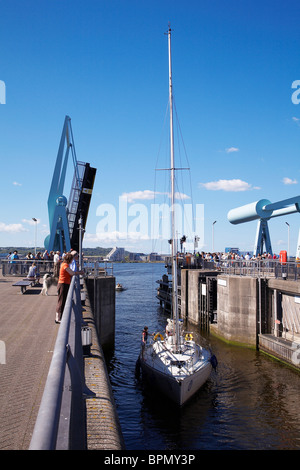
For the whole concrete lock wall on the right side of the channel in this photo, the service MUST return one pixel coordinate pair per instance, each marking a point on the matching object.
(243, 310)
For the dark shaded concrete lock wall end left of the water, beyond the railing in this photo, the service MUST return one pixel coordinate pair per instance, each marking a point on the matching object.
(102, 297)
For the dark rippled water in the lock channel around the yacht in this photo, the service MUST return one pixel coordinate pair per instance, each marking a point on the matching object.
(251, 402)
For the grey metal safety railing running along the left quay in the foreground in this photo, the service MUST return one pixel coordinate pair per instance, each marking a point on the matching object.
(61, 423)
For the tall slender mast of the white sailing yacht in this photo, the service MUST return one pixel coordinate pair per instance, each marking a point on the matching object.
(174, 260)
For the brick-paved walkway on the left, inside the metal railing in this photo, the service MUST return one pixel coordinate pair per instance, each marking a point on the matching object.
(29, 332)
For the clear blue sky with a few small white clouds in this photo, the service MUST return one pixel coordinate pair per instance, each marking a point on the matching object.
(105, 64)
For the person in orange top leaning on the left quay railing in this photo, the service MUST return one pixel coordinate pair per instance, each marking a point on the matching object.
(64, 281)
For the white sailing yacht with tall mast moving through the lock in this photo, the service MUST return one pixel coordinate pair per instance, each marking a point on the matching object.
(174, 363)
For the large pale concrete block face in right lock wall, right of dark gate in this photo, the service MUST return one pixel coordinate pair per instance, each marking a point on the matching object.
(237, 309)
